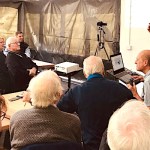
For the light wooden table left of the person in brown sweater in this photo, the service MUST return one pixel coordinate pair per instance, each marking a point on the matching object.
(13, 107)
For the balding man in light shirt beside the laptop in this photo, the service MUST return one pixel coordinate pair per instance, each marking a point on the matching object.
(143, 64)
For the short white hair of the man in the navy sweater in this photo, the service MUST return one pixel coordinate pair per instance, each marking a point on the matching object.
(93, 64)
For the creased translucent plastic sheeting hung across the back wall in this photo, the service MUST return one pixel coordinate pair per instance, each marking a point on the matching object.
(66, 27)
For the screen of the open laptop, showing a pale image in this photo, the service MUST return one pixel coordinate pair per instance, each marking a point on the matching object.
(117, 63)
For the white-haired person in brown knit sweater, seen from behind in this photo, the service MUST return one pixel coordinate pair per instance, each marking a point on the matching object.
(44, 122)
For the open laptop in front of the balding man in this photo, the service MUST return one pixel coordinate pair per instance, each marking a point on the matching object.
(119, 70)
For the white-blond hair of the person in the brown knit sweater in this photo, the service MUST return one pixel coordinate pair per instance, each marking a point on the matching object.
(45, 89)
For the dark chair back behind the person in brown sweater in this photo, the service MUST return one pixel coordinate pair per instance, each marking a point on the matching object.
(61, 145)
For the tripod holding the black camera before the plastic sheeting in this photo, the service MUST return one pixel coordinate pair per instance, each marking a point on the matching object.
(100, 39)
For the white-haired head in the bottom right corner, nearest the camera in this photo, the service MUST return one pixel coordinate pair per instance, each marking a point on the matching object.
(129, 127)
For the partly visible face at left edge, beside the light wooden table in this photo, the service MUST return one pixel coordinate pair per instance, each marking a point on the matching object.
(3, 109)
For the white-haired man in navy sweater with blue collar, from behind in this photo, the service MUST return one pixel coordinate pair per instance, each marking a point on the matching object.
(94, 101)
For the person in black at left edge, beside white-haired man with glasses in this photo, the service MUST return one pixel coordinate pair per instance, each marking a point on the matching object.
(5, 80)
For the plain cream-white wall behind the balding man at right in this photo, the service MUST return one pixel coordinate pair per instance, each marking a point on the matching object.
(134, 36)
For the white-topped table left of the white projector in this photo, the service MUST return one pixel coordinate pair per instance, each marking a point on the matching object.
(43, 65)
